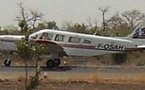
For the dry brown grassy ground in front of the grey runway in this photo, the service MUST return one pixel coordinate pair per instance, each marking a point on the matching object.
(75, 81)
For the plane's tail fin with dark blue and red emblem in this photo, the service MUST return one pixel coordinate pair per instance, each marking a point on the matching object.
(139, 31)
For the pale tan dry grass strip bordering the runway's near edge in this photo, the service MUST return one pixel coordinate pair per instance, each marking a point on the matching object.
(80, 78)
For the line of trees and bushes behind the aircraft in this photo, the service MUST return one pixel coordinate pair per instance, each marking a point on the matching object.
(120, 24)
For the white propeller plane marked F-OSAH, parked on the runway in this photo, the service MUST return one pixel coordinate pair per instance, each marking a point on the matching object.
(64, 43)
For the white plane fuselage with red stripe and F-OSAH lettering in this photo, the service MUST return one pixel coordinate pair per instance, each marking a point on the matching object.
(75, 44)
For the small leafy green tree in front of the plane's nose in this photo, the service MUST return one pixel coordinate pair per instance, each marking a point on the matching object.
(29, 50)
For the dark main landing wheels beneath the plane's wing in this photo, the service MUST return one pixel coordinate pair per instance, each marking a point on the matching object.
(52, 63)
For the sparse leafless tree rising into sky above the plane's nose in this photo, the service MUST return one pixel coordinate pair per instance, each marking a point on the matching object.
(25, 19)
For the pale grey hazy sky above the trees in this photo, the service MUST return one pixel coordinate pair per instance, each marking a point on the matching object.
(61, 11)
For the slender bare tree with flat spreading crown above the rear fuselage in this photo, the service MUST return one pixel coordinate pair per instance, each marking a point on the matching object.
(104, 11)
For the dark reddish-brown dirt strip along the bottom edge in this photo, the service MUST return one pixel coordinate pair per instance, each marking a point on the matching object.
(19, 85)
